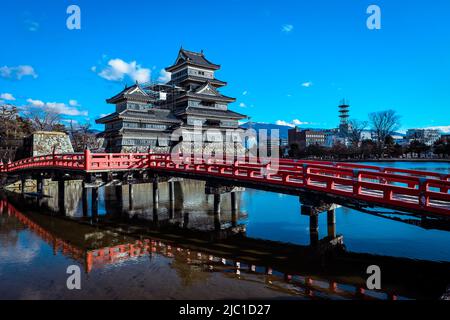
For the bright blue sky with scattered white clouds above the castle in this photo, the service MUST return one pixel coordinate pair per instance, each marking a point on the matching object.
(285, 61)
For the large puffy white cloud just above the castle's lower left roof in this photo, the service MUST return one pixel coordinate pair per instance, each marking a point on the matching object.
(117, 70)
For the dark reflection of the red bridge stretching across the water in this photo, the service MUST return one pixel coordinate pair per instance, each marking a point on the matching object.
(322, 269)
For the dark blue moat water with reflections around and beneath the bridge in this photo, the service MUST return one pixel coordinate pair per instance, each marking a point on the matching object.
(131, 250)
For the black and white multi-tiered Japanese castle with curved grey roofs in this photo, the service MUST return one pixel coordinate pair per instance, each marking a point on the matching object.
(146, 115)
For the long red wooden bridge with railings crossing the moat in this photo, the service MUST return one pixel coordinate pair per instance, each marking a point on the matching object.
(344, 183)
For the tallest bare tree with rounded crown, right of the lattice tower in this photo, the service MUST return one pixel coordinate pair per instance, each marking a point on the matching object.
(384, 123)
